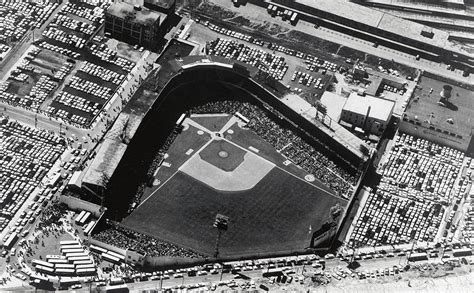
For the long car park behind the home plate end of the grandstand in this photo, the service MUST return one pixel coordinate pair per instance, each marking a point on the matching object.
(232, 44)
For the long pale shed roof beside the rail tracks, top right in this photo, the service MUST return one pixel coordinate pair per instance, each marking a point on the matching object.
(384, 21)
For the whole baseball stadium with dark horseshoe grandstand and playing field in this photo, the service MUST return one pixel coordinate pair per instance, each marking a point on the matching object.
(218, 144)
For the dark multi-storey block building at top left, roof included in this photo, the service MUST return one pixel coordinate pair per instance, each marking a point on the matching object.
(135, 25)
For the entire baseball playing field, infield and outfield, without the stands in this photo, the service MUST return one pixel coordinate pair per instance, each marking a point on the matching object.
(271, 209)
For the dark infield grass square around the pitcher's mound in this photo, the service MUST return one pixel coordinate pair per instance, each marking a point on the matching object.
(235, 154)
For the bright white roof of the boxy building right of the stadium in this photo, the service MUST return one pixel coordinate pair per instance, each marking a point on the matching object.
(379, 108)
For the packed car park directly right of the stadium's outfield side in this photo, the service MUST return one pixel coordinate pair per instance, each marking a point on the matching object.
(420, 191)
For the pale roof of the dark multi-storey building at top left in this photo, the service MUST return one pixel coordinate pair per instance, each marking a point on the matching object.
(143, 16)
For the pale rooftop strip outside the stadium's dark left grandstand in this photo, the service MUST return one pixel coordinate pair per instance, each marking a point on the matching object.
(105, 162)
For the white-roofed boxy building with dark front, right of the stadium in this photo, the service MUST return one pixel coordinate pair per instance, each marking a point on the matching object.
(366, 114)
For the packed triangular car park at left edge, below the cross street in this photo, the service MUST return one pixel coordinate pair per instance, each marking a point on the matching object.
(26, 157)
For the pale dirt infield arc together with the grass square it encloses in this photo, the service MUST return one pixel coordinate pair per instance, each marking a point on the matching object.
(226, 167)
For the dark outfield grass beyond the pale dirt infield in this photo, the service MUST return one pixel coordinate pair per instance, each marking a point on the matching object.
(274, 216)
